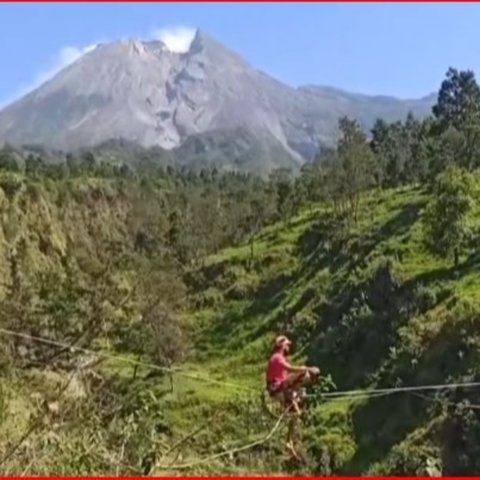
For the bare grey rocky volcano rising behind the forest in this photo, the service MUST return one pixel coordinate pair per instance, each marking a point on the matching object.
(144, 93)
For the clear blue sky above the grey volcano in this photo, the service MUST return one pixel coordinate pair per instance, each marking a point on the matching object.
(393, 49)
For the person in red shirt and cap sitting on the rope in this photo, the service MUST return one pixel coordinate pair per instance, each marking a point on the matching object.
(284, 380)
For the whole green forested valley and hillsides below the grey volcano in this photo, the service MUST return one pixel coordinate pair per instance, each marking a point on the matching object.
(139, 301)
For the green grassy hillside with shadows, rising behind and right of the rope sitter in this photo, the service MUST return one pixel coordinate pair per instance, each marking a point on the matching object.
(371, 308)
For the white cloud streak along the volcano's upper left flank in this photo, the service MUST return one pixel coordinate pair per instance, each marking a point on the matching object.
(65, 57)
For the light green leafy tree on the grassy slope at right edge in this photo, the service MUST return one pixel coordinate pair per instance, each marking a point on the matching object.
(446, 214)
